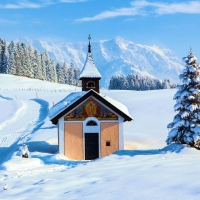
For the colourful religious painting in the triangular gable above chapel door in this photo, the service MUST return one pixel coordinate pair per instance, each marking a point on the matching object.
(91, 109)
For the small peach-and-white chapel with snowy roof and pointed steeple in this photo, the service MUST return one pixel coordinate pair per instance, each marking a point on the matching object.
(90, 124)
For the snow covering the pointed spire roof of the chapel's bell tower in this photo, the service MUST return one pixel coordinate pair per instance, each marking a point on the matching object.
(89, 70)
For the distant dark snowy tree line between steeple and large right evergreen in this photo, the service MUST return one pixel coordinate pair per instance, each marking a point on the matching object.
(134, 82)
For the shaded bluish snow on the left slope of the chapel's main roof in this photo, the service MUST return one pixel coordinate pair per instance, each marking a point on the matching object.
(66, 102)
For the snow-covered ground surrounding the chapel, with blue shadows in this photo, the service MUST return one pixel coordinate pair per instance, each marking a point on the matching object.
(146, 169)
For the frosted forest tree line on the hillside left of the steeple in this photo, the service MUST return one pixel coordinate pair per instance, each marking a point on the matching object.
(22, 60)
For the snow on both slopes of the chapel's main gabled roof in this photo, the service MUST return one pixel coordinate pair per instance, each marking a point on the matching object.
(71, 98)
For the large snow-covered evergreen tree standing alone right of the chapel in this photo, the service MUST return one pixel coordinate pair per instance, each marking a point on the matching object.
(185, 127)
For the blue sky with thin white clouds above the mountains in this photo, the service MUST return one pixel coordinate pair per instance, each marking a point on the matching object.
(167, 24)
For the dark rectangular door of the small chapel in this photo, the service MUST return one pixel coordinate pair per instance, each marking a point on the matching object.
(91, 146)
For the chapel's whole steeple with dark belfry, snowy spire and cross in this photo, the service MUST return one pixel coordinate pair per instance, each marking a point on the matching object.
(90, 75)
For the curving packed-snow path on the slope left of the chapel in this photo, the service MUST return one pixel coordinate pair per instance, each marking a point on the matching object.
(27, 119)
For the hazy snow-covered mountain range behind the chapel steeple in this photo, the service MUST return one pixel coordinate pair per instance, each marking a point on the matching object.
(116, 56)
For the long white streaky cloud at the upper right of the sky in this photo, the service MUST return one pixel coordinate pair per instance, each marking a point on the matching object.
(143, 7)
